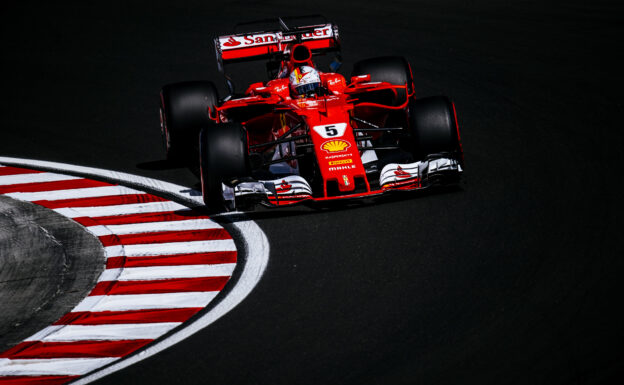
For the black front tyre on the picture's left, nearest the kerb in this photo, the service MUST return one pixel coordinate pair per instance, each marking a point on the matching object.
(222, 158)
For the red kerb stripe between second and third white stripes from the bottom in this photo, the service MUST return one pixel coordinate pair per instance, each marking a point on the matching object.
(128, 316)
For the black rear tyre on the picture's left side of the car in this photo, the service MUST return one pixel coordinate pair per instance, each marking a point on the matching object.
(183, 112)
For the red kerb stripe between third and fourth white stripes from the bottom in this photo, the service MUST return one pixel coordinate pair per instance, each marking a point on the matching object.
(174, 285)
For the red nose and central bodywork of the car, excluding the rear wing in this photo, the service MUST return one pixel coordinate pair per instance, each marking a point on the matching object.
(326, 119)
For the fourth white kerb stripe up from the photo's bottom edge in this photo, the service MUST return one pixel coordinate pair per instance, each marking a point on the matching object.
(167, 272)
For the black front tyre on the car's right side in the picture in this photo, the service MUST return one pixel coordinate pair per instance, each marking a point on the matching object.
(433, 128)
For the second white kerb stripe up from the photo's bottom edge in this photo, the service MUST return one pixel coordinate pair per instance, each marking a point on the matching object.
(113, 332)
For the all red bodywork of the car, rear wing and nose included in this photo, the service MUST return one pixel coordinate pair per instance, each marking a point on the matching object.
(322, 125)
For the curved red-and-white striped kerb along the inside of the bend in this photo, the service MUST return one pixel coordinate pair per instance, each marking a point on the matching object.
(164, 263)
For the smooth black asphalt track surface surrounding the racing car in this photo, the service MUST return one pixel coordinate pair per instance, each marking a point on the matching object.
(511, 279)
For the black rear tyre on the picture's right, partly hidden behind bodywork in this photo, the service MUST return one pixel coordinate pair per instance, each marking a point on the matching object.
(392, 69)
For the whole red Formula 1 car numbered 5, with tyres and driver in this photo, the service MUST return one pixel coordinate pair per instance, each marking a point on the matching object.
(306, 135)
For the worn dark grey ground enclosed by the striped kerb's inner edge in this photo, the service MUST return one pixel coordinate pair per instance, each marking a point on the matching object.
(48, 264)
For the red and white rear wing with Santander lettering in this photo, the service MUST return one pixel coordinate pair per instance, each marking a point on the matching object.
(239, 47)
